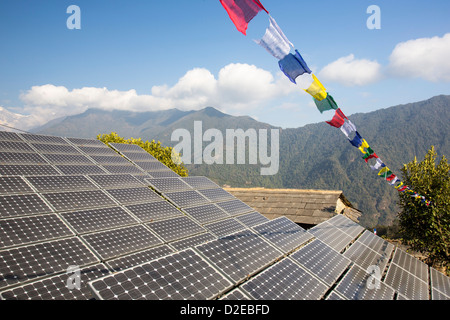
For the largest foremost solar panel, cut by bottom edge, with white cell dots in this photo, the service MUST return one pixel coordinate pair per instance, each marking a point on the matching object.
(180, 276)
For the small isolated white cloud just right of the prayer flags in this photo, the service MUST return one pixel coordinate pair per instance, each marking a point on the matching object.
(351, 72)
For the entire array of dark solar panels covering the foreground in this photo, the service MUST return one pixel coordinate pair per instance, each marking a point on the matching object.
(81, 220)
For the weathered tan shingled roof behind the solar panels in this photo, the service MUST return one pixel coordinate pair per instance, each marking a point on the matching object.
(301, 206)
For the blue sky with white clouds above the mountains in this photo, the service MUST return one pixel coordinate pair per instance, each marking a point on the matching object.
(148, 55)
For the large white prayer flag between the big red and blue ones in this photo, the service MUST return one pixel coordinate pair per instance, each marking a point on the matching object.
(274, 41)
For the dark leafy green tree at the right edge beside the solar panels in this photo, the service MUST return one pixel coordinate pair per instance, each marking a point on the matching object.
(427, 228)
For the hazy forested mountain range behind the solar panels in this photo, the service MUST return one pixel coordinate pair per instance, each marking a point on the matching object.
(315, 156)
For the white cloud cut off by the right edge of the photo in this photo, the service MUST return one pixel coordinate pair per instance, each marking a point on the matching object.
(426, 58)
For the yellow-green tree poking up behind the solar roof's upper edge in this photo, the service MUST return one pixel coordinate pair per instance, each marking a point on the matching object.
(165, 155)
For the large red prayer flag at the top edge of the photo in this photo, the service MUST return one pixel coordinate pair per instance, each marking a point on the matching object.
(241, 12)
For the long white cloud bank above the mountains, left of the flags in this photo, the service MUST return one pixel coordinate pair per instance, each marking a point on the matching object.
(237, 89)
